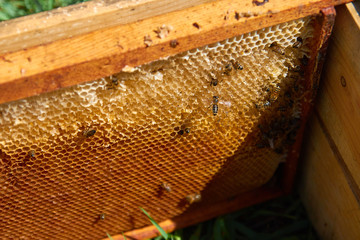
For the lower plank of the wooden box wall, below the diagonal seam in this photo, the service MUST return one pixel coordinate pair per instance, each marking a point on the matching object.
(330, 203)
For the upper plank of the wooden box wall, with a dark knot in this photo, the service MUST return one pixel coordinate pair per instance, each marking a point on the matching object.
(339, 98)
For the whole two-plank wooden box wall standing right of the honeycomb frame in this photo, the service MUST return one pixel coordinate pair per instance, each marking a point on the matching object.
(330, 178)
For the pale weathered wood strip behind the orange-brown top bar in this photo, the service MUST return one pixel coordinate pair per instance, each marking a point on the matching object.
(74, 20)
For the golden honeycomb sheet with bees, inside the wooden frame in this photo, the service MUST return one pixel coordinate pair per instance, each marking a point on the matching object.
(208, 124)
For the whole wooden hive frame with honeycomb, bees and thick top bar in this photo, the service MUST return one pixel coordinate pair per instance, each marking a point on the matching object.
(109, 106)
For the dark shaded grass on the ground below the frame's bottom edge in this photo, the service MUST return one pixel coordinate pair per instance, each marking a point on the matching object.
(280, 219)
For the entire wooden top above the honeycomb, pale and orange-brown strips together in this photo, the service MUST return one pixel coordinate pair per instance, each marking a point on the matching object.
(52, 61)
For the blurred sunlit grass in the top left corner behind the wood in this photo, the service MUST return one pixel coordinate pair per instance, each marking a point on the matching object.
(12, 9)
